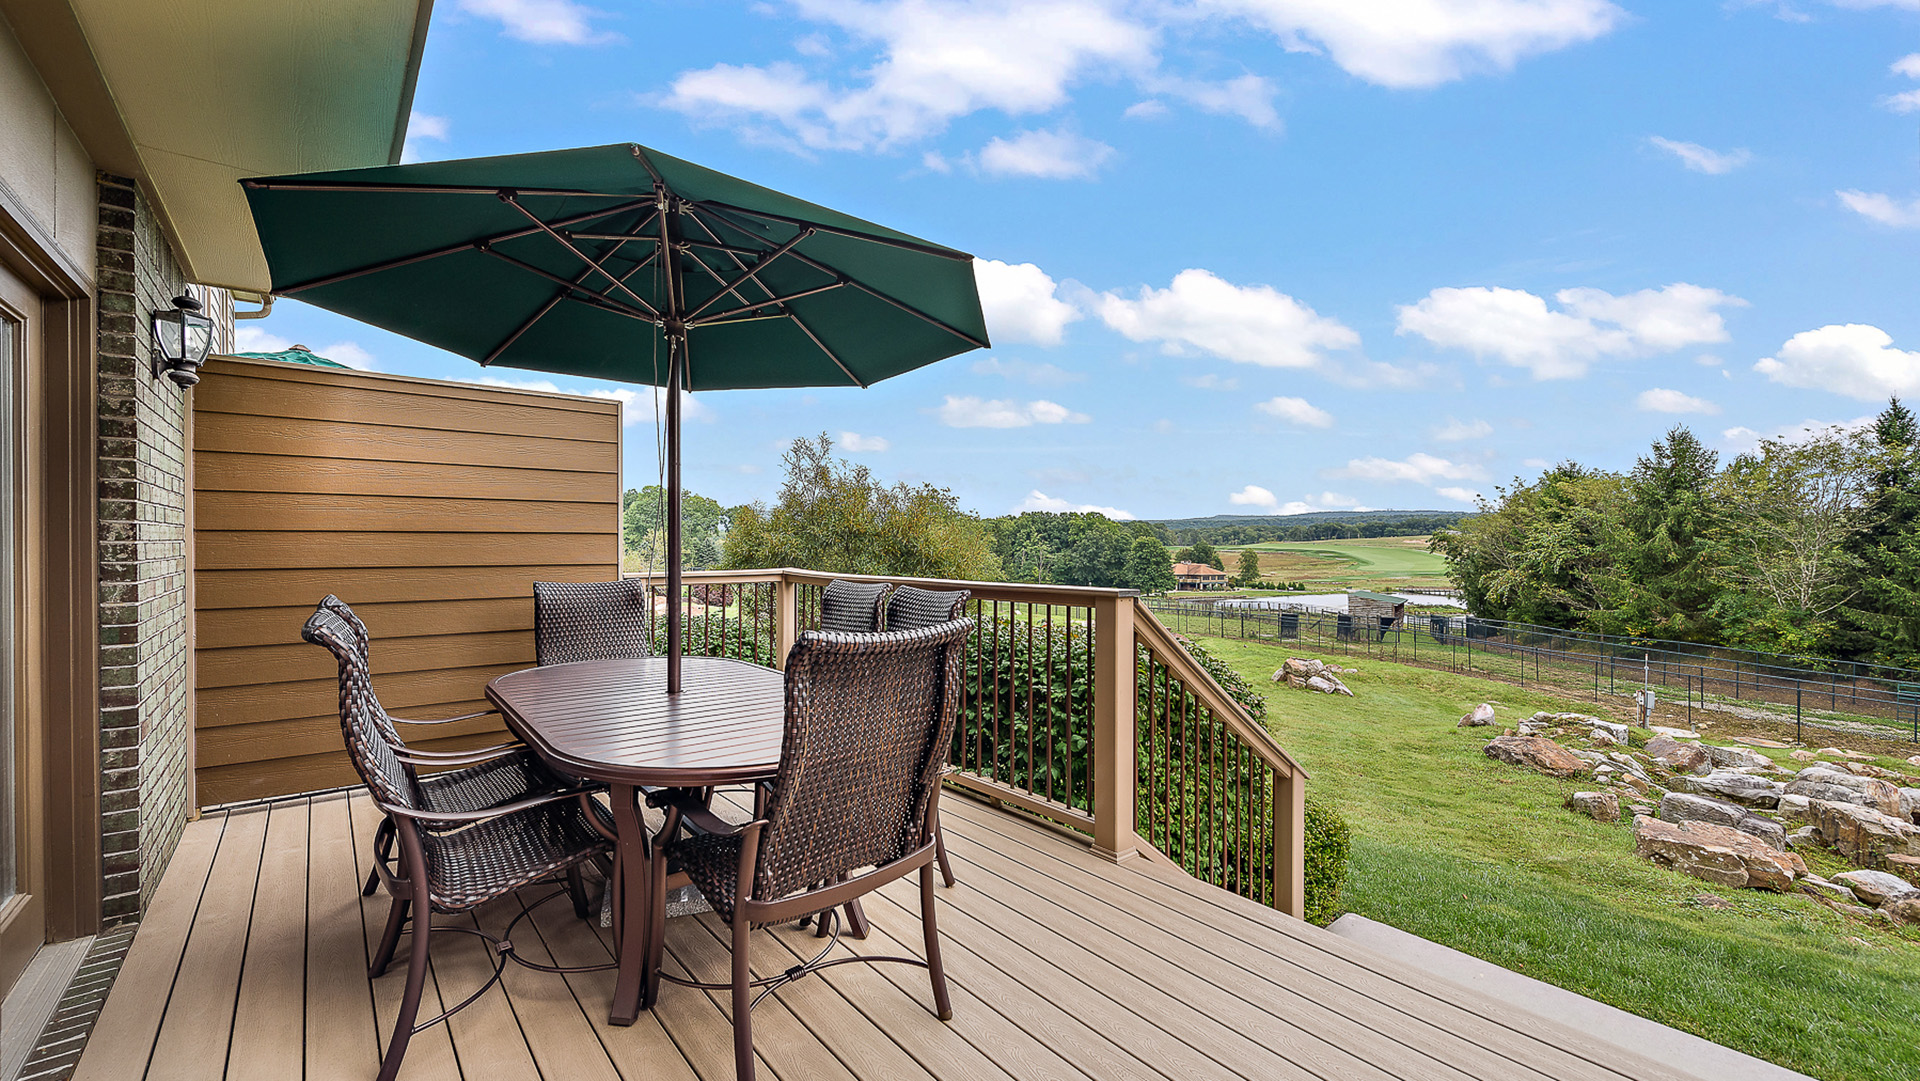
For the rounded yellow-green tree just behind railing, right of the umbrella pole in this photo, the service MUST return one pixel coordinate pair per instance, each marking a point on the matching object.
(838, 517)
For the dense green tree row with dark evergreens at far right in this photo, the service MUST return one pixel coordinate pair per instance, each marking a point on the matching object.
(1802, 546)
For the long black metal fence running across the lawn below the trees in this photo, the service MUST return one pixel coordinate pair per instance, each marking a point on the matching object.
(1840, 698)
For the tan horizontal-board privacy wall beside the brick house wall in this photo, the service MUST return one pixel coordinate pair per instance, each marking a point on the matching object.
(431, 508)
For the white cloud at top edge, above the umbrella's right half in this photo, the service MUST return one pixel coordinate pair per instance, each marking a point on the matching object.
(942, 60)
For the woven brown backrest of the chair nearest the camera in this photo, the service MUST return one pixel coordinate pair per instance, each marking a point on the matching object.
(869, 725)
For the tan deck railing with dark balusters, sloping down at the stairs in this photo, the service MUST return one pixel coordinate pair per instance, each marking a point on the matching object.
(1078, 708)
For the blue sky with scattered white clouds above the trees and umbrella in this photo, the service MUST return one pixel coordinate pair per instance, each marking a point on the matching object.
(1264, 256)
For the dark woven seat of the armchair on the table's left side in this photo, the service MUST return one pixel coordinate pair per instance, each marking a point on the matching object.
(489, 859)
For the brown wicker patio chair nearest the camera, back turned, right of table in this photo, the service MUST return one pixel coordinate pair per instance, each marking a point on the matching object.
(857, 798)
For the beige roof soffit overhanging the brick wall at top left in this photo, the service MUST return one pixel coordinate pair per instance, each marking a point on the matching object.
(210, 91)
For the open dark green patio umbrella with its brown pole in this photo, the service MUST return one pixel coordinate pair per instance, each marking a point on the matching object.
(554, 262)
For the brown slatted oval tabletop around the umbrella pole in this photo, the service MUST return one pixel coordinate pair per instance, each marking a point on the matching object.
(613, 721)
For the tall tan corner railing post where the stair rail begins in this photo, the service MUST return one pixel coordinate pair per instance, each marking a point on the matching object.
(1115, 773)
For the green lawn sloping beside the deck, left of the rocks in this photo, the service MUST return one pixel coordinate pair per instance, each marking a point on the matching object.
(1477, 855)
